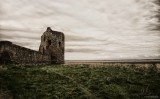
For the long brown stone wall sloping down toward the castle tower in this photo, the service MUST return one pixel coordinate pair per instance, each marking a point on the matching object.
(12, 53)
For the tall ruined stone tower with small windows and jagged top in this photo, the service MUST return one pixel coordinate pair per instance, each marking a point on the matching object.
(52, 43)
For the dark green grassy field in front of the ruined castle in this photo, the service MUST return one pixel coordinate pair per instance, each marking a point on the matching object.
(79, 82)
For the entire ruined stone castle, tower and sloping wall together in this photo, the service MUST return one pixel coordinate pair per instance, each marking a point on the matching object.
(51, 50)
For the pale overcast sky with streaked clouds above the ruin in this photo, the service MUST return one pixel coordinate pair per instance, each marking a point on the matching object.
(94, 29)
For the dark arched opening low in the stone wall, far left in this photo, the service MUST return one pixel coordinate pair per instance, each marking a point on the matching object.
(5, 58)
